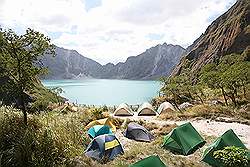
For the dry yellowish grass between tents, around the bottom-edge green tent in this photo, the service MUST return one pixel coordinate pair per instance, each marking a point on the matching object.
(139, 150)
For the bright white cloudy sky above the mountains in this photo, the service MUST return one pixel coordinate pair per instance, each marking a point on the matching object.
(112, 30)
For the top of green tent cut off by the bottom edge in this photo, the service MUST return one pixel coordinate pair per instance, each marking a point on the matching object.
(149, 162)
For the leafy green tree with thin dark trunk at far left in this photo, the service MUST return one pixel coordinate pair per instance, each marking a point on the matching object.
(20, 60)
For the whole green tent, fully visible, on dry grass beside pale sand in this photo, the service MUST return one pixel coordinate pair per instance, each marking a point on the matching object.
(183, 139)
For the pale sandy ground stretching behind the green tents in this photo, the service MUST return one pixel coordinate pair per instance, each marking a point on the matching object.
(204, 126)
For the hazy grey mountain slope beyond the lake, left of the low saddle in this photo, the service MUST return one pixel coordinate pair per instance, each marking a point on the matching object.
(68, 64)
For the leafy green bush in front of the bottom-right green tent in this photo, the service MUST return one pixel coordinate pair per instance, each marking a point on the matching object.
(232, 156)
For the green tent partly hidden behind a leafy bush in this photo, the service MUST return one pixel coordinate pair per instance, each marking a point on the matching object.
(229, 138)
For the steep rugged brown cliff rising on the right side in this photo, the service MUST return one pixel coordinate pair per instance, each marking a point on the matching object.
(230, 33)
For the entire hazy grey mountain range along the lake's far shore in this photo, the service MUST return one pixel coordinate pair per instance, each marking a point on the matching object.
(153, 63)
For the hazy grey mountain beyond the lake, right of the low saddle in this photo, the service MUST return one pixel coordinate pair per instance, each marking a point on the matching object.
(153, 63)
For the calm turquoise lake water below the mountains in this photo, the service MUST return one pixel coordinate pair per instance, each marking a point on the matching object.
(105, 91)
